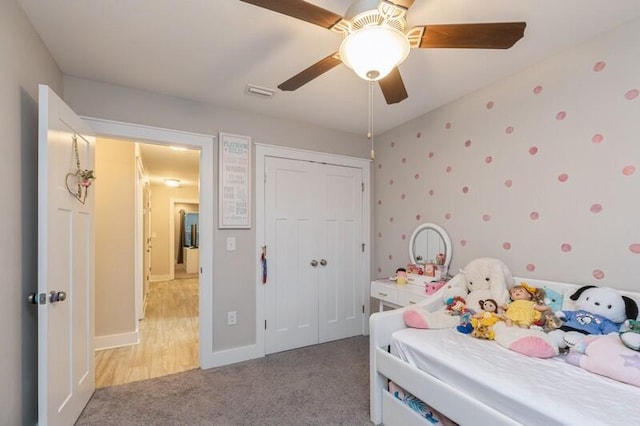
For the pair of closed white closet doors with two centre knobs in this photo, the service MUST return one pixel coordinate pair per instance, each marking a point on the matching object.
(314, 242)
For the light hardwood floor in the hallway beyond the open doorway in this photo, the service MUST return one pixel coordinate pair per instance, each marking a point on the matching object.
(168, 337)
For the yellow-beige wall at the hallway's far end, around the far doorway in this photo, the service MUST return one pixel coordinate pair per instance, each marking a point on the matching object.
(161, 218)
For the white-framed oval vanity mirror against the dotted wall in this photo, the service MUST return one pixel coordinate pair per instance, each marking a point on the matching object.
(428, 242)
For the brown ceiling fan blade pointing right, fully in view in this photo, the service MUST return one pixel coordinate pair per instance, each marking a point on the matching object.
(500, 35)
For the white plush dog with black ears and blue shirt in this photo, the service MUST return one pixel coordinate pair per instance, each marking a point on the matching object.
(599, 310)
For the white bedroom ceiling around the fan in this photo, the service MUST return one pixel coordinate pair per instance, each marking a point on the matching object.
(209, 50)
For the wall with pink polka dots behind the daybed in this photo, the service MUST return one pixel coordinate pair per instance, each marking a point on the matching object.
(541, 170)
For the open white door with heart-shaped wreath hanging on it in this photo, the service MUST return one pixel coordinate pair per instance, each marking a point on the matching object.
(65, 264)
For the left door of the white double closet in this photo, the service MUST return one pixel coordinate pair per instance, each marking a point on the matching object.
(291, 295)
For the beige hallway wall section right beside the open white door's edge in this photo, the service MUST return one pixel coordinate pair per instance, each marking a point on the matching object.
(115, 237)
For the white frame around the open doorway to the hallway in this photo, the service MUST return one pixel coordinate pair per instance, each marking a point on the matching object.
(207, 145)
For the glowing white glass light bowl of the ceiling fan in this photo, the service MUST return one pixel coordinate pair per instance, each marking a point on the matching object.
(373, 51)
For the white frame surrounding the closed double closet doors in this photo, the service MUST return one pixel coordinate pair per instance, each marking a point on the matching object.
(262, 151)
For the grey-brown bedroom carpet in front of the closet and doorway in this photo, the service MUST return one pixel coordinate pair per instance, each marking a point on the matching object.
(326, 384)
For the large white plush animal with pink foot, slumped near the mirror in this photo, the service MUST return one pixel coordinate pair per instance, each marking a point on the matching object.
(482, 278)
